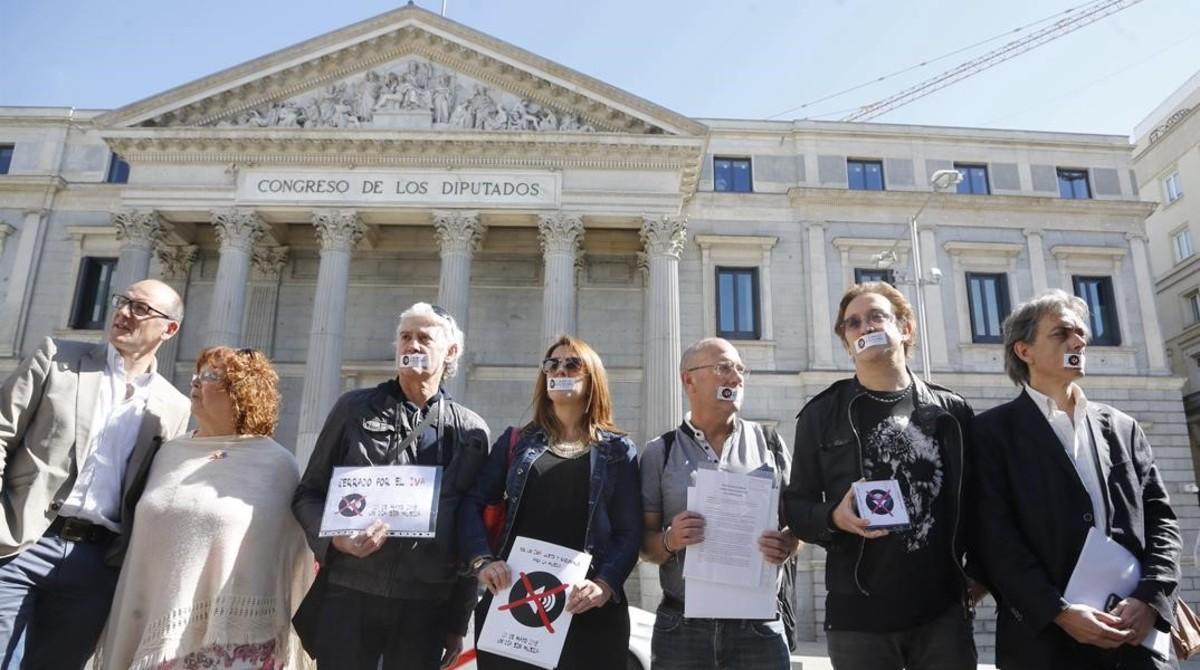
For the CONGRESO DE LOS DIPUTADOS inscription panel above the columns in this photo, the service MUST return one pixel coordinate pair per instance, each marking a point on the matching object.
(401, 189)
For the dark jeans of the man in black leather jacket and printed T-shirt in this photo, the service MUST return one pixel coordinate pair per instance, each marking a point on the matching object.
(945, 644)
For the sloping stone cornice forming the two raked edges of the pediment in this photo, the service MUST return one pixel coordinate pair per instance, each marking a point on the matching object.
(405, 32)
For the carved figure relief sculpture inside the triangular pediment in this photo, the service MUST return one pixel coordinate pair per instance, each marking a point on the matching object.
(409, 95)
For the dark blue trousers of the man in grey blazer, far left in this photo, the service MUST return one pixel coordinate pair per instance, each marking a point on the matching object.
(55, 600)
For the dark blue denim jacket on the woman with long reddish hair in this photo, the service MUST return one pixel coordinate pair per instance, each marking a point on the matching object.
(615, 502)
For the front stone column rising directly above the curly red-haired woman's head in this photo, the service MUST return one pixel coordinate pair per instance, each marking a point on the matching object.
(238, 231)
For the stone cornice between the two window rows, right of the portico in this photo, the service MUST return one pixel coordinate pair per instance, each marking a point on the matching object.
(803, 196)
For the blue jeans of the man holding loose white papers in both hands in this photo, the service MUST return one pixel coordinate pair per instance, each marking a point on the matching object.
(717, 644)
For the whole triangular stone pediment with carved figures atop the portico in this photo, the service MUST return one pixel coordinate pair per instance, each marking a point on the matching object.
(406, 70)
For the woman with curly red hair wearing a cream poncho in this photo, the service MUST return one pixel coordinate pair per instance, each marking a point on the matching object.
(217, 561)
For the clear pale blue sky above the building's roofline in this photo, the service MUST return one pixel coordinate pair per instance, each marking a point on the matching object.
(749, 59)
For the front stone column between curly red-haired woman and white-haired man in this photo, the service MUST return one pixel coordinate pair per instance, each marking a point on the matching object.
(339, 232)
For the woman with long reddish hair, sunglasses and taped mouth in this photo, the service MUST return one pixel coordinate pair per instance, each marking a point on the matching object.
(572, 481)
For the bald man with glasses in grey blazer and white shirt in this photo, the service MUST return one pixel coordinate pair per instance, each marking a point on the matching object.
(80, 424)
